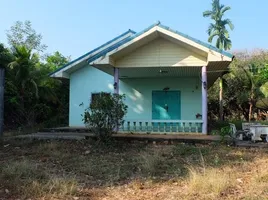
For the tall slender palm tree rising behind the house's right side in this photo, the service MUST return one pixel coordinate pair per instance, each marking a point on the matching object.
(218, 30)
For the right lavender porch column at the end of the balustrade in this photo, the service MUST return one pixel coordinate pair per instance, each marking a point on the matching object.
(204, 101)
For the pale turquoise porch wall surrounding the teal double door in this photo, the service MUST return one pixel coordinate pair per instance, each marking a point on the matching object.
(139, 95)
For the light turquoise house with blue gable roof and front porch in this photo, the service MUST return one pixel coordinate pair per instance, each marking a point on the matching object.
(163, 73)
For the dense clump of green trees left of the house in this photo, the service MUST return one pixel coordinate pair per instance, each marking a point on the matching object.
(31, 97)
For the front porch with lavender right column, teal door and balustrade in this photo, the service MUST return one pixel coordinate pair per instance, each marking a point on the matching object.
(171, 103)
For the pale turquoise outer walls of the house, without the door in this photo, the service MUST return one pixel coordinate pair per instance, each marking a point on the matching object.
(138, 93)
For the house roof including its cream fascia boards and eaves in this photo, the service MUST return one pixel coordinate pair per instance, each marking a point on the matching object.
(104, 57)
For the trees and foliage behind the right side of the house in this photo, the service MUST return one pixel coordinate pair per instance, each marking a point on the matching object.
(245, 87)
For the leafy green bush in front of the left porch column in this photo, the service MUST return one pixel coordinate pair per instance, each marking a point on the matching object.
(105, 114)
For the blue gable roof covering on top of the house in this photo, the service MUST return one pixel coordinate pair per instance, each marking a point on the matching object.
(128, 37)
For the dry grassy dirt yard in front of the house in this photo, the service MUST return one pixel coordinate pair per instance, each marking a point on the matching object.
(33, 169)
